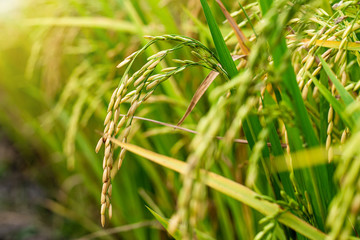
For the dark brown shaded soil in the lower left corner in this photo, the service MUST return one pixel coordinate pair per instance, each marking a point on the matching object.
(21, 214)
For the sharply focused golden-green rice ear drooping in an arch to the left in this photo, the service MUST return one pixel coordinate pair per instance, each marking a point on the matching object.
(136, 89)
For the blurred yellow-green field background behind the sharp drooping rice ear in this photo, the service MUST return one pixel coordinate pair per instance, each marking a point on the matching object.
(57, 73)
